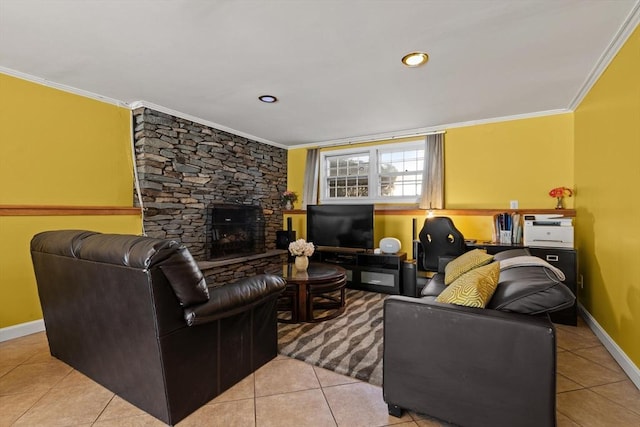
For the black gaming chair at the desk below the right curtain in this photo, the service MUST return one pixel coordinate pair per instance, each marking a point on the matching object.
(440, 241)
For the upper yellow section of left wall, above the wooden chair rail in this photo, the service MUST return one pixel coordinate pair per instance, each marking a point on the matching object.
(62, 149)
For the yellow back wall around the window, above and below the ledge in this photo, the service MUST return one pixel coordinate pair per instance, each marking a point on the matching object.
(486, 166)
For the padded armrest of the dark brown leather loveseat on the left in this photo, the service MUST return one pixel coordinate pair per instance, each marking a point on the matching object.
(234, 298)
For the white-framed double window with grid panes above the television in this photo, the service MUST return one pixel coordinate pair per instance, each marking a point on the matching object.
(384, 174)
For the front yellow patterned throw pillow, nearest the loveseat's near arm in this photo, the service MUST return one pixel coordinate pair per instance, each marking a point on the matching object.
(474, 288)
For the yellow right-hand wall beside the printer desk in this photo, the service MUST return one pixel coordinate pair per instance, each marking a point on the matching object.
(607, 156)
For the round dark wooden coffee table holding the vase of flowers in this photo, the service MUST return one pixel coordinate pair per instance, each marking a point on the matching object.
(320, 287)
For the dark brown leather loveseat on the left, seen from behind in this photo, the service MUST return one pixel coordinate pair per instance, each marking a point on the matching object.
(135, 314)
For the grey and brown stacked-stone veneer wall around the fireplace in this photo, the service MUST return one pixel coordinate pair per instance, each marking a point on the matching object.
(184, 166)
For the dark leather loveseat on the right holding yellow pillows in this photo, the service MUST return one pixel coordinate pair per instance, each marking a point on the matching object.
(492, 366)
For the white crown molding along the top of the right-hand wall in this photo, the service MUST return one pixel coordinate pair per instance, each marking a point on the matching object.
(625, 31)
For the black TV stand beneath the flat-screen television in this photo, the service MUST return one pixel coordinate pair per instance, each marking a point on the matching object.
(366, 270)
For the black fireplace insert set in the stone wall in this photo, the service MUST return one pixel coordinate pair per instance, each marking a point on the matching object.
(234, 230)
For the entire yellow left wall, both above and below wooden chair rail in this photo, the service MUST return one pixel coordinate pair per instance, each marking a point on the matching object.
(57, 149)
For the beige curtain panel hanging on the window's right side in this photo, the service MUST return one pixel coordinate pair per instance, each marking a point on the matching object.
(432, 196)
